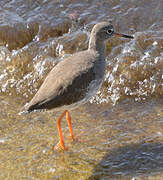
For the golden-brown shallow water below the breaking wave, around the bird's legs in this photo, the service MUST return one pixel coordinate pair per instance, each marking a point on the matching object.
(121, 142)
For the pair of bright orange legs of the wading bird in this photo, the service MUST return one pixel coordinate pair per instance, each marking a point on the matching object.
(61, 142)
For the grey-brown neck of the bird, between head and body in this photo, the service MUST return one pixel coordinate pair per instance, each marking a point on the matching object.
(96, 45)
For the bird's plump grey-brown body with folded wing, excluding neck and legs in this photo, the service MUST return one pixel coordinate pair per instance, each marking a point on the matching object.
(69, 82)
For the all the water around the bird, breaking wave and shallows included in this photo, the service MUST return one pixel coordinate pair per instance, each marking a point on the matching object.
(122, 126)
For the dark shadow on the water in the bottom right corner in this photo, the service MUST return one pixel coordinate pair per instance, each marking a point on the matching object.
(130, 161)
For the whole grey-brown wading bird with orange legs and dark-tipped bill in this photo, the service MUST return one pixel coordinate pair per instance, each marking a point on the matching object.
(76, 79)
